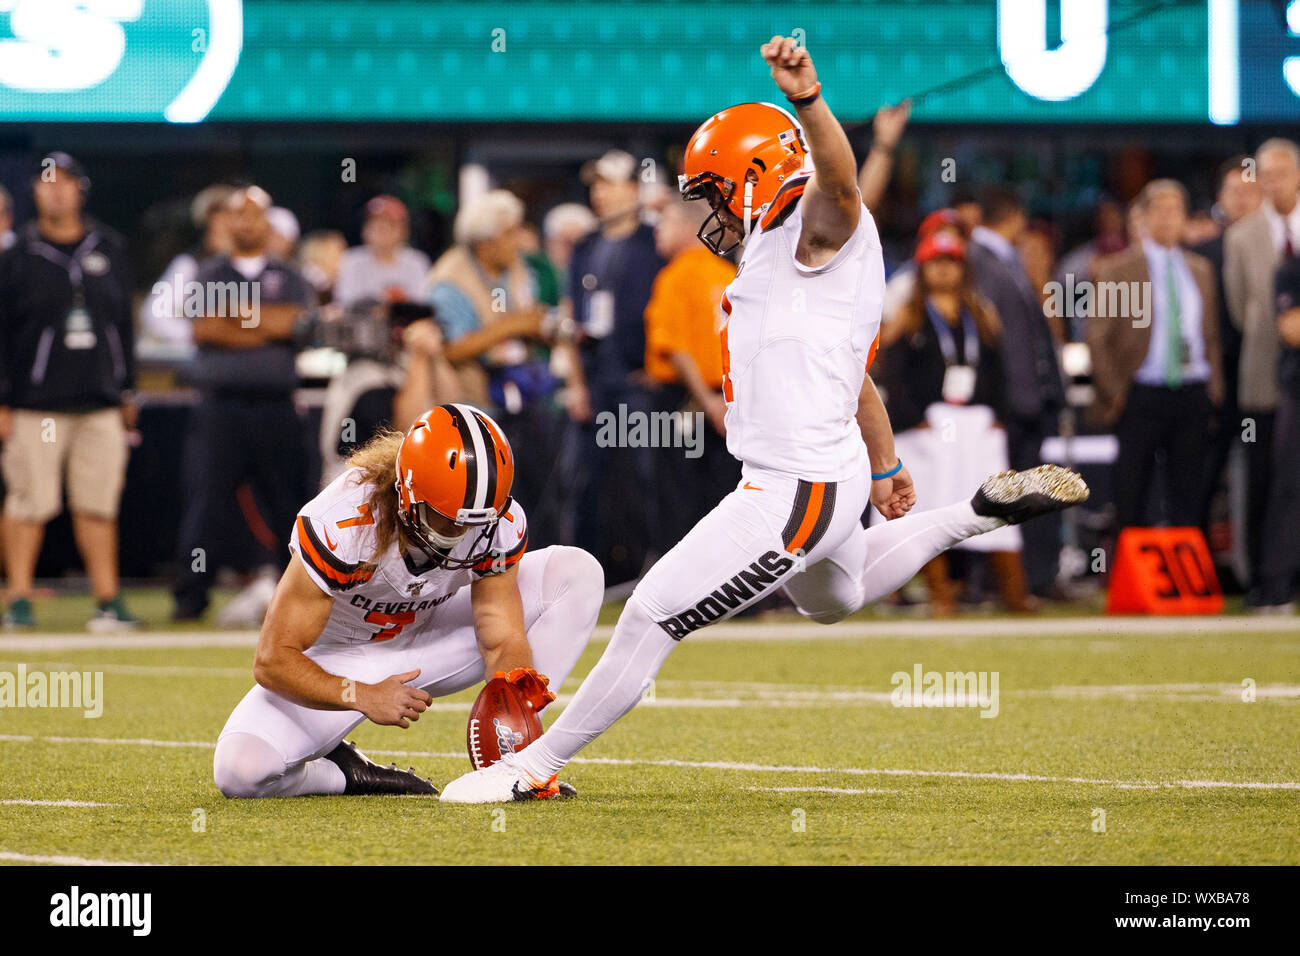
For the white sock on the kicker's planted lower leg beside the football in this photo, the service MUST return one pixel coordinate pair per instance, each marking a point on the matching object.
(612, 690)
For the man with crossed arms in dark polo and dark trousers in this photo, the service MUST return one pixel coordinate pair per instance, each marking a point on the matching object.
(244, 429)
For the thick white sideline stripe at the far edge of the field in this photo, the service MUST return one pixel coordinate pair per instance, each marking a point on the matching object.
(1098, 626)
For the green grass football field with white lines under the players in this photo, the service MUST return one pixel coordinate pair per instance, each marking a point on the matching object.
(762, 746)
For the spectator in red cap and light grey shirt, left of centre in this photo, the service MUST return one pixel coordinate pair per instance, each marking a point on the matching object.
(385, 269)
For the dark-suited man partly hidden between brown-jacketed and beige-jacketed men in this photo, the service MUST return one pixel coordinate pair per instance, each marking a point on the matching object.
(1238, 197)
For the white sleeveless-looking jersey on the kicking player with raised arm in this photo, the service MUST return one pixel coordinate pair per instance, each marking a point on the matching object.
(796, 347)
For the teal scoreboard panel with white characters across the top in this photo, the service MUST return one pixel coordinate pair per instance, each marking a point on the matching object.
(1024, 62)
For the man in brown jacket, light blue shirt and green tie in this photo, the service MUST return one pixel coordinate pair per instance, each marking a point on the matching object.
(1159, 370)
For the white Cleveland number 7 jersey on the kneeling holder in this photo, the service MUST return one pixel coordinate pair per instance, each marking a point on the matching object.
(376, 598)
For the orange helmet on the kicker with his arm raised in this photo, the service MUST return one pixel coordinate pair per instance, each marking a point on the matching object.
(742, 159)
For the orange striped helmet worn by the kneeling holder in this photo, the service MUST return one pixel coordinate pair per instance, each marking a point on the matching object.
(454, 473)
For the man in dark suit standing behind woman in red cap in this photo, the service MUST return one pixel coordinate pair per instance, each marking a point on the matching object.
(1035, 393)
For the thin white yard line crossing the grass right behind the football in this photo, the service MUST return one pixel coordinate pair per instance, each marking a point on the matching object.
(730, 765)
